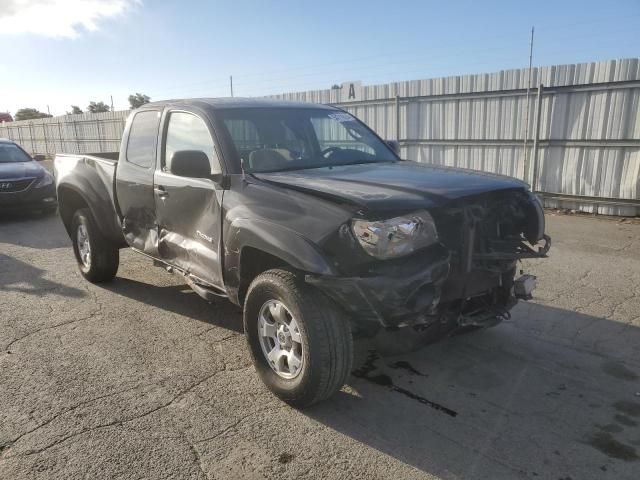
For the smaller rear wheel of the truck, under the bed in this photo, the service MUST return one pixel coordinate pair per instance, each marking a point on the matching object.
(103, 258)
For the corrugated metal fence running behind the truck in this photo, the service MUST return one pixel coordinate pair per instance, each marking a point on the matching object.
(589, 129)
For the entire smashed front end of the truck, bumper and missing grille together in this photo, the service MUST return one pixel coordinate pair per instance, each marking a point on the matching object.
(464, 280)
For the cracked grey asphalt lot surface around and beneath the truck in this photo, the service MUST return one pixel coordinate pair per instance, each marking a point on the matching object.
(141, 378)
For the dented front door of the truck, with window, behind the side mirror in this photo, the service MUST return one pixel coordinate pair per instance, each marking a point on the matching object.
(188, 210)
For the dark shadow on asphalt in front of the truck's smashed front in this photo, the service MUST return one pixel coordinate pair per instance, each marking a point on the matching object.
(512, 398)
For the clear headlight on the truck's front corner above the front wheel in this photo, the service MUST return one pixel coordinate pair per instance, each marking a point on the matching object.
(396, 237)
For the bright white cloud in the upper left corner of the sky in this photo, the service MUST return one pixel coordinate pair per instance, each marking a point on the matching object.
(58, 18)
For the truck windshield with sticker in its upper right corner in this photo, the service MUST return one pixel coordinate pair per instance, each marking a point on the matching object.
(278, 139)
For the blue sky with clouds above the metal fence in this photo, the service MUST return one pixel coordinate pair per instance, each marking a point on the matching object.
(85, 50)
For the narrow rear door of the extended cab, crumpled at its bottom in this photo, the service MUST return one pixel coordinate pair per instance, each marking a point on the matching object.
(134, 181)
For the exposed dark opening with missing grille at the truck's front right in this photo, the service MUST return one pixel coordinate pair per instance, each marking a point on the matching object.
(487, 237)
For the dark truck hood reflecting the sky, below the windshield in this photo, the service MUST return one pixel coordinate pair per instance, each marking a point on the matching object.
(393, 186)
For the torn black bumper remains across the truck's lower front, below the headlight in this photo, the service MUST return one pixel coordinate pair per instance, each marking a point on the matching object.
(435, 284)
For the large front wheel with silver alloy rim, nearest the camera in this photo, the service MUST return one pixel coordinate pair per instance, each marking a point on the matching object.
(324, 334)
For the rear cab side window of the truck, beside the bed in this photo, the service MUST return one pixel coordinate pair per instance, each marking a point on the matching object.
(143, 136)
